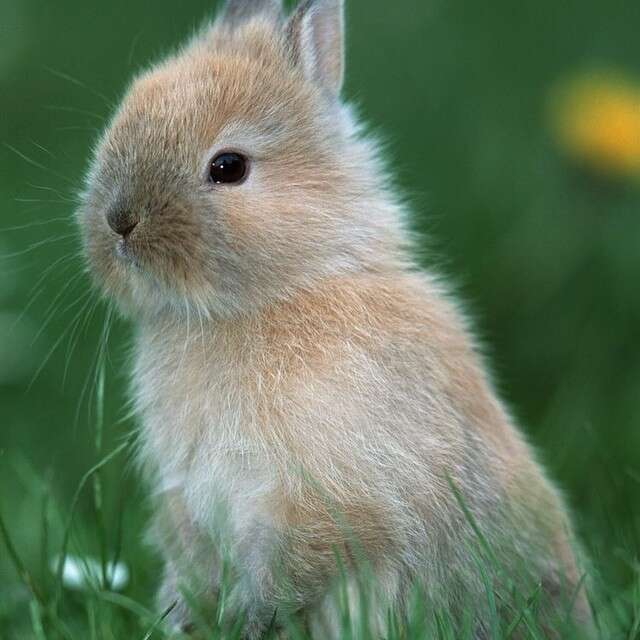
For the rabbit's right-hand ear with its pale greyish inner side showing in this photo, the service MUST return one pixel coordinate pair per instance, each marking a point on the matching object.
(315, 33)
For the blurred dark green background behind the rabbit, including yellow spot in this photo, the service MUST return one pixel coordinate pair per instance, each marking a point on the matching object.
(514, 127)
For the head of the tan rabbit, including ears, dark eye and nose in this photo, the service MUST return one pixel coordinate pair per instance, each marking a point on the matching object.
(233, 175)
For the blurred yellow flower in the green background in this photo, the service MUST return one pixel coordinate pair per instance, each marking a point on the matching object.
(597, 121)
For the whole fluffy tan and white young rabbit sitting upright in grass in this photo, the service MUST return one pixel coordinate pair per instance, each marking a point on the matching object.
(310, 401)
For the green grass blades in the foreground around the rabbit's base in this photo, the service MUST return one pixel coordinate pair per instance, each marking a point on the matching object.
(42, 606)
